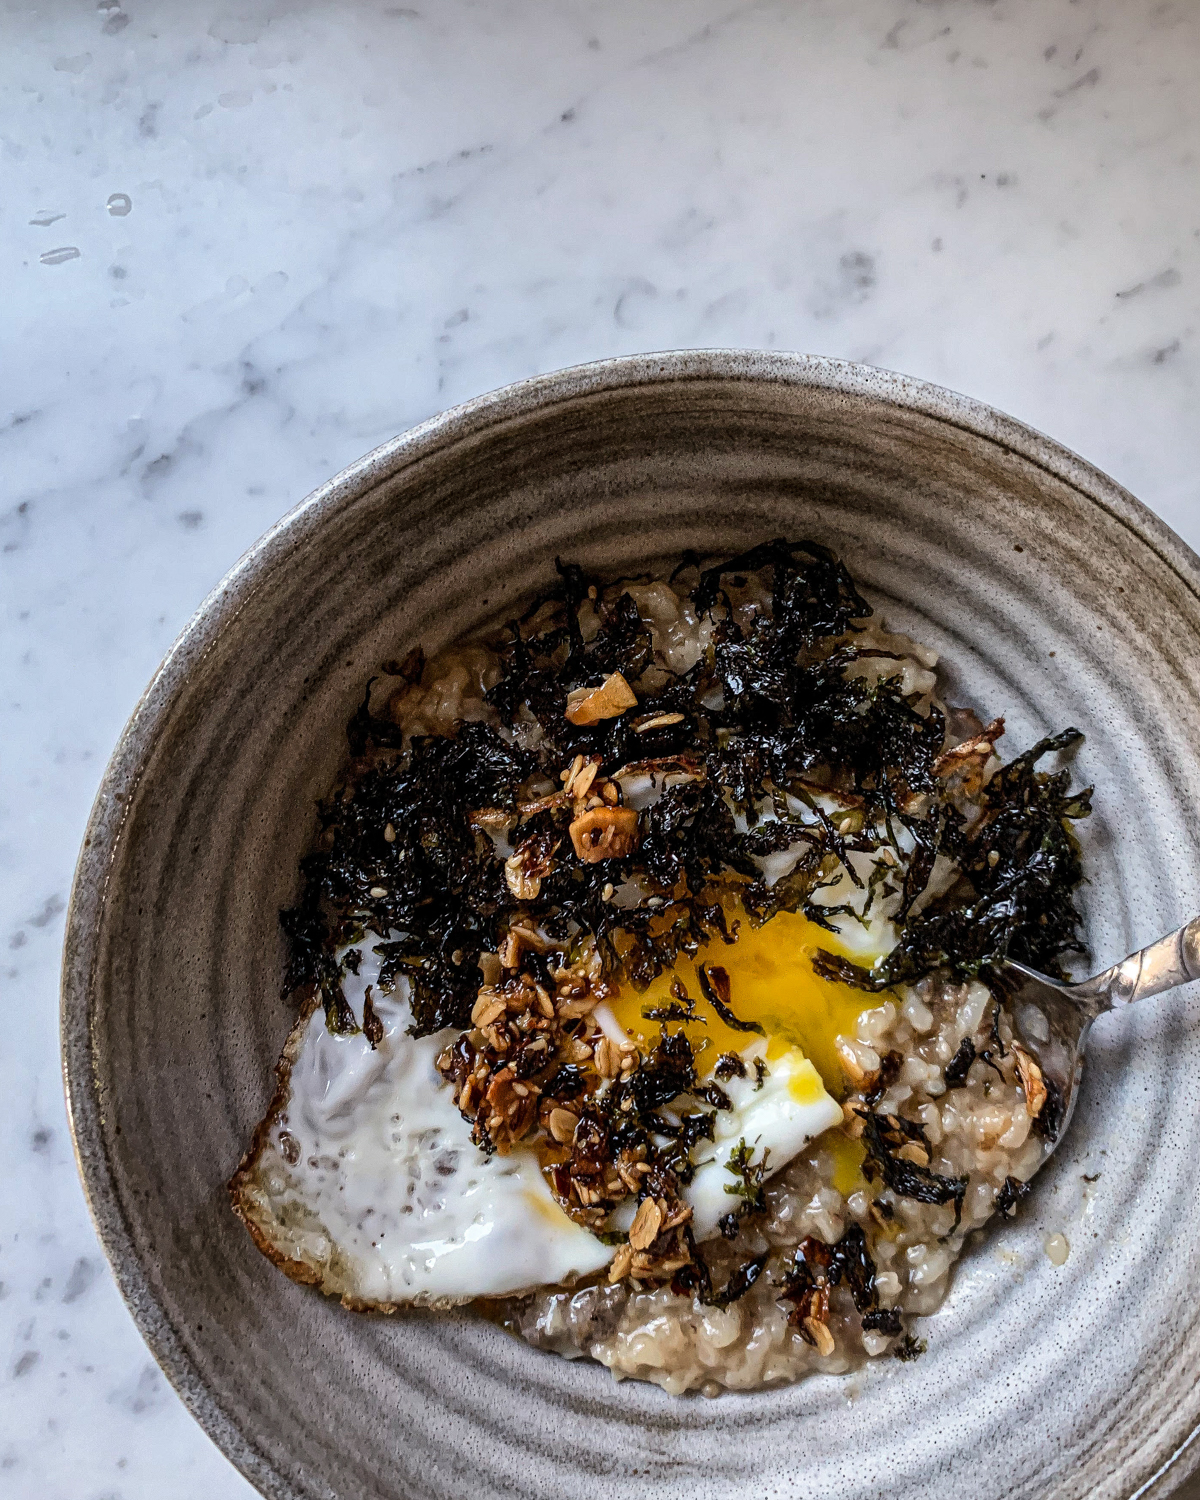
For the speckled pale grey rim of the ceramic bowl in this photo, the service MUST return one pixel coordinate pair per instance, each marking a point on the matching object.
(91, 886)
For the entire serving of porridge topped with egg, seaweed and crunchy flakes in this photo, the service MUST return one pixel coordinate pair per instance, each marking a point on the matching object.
(644, 970)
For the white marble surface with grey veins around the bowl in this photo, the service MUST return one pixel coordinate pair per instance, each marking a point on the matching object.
(242, 244)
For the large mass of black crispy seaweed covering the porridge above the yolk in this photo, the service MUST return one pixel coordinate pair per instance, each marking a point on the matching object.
(779, 710)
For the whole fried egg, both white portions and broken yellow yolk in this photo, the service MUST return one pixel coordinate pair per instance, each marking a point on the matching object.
(365, 1181)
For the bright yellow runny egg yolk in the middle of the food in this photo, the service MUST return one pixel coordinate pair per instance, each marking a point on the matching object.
(772, 982)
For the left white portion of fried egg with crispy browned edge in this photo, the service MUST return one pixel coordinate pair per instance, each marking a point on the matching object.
(367, 1183)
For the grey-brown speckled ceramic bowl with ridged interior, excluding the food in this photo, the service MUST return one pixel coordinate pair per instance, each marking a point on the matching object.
(1054, 596)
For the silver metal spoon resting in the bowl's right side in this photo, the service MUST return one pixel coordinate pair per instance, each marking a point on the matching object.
(1054, 1019)
